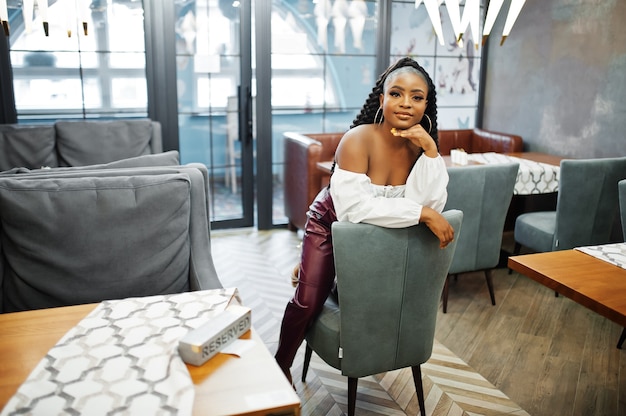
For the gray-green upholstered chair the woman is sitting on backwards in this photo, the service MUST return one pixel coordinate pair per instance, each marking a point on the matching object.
(389, 282)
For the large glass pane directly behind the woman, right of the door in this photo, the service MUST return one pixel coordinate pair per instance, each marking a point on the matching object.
(323, 66)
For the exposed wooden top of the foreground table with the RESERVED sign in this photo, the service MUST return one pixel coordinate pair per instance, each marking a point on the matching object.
(252, 384)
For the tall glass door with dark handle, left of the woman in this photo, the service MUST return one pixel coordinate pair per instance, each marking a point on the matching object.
(213, 54)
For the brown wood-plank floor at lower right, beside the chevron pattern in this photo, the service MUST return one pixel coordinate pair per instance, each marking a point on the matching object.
(548, 354)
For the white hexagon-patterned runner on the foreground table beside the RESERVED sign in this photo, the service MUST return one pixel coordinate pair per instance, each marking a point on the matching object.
(122, 358)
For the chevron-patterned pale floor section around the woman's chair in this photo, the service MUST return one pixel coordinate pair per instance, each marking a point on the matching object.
(259, 264)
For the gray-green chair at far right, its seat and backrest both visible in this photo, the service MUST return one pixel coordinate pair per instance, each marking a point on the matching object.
(586, 209)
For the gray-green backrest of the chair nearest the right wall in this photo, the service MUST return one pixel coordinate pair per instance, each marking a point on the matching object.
(587, 204)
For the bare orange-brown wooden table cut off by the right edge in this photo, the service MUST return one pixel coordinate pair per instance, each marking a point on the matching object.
(589, 281)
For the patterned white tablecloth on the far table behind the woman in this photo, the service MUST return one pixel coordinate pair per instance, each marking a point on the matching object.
(532, 177)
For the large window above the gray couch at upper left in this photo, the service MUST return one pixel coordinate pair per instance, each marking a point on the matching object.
(98, 74)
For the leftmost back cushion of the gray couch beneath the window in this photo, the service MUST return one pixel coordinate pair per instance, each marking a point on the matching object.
(31, 147)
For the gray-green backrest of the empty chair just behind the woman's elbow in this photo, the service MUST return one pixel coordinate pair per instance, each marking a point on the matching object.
(483, 193)
